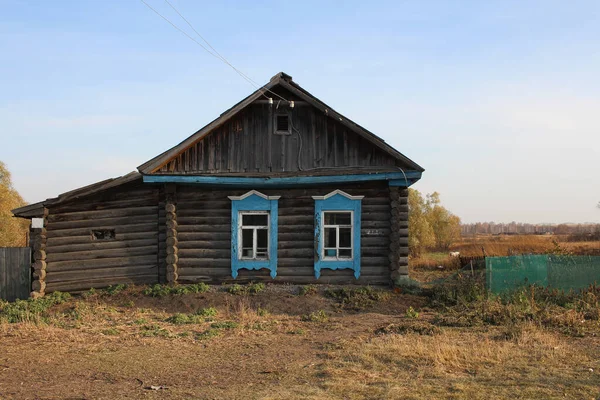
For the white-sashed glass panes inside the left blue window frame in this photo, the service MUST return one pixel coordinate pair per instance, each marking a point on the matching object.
(254, 235)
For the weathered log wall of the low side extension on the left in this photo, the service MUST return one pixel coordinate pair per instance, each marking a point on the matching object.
(76, 261)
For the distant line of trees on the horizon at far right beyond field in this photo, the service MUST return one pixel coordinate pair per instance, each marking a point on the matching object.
(515, 228)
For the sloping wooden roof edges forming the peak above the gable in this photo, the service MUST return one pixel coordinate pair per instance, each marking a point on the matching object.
(286, 82)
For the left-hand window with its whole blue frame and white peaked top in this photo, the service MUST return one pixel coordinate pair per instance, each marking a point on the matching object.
(254, 232)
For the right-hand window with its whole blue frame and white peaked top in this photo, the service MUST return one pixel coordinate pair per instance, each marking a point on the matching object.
(337, 232)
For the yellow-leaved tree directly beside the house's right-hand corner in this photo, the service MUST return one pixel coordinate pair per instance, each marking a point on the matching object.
(420, 234)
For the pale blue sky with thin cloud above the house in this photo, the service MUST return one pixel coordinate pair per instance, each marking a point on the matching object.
(498, 100)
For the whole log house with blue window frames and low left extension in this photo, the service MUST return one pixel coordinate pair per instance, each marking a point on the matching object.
(280, 187)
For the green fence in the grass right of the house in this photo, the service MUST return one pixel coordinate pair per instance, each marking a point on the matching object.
(553, 271)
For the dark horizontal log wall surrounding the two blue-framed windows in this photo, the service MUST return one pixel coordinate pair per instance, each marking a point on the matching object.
(204, 236)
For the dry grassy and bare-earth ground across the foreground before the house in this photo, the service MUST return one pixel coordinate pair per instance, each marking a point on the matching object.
(274, 342)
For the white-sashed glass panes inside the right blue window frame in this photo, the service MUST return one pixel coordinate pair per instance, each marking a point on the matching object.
(337, 235)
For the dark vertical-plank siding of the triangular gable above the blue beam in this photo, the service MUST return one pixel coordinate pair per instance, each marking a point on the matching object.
(246, 144)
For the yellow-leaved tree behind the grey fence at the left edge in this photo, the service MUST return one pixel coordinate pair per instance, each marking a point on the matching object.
(12, 230)
